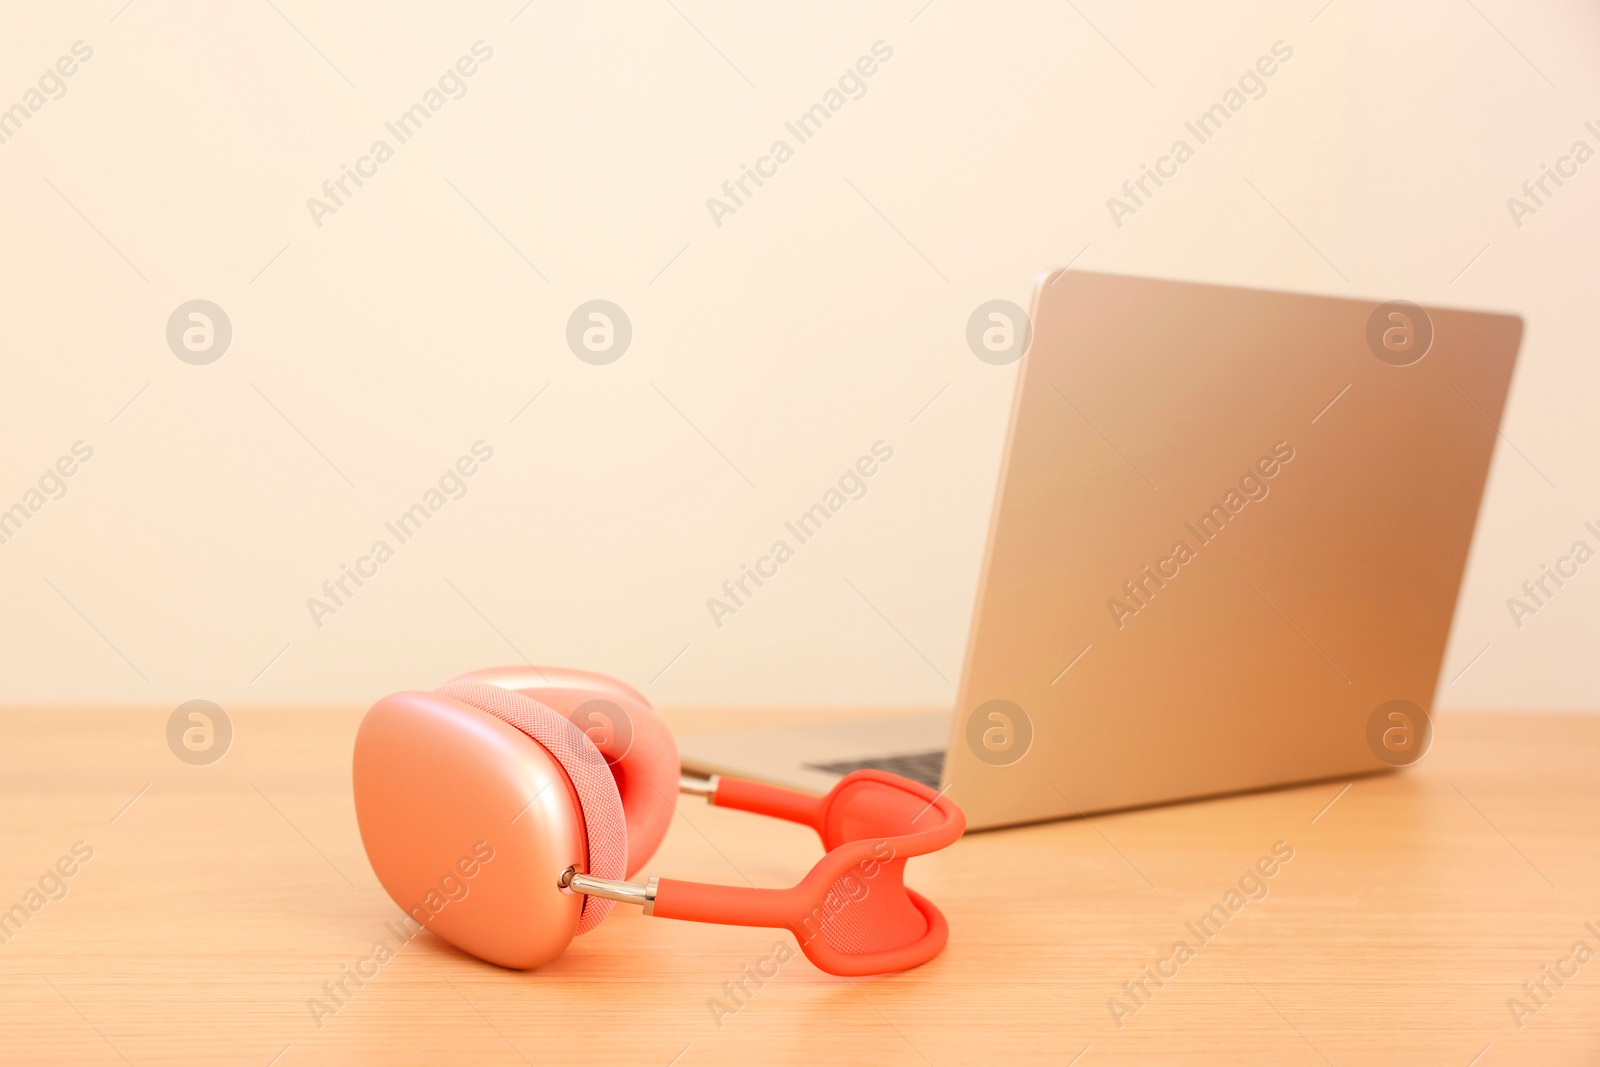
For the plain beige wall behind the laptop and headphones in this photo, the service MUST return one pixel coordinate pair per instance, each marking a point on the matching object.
(767, 358)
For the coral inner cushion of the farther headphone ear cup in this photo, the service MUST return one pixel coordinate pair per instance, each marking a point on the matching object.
(642, 756)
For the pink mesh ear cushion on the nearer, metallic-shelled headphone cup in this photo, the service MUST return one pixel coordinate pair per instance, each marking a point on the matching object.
(602, 807)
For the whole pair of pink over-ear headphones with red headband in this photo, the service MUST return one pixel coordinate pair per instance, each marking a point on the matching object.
(508, 812)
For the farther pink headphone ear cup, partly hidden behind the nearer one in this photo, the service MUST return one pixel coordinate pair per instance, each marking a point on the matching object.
(622, 724)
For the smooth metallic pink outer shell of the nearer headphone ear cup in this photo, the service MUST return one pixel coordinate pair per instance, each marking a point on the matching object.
(468, 823)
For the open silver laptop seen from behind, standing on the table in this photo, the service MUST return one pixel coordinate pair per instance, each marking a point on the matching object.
(1225, 554)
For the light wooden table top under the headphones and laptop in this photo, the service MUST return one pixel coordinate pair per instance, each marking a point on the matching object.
(222, 898)
